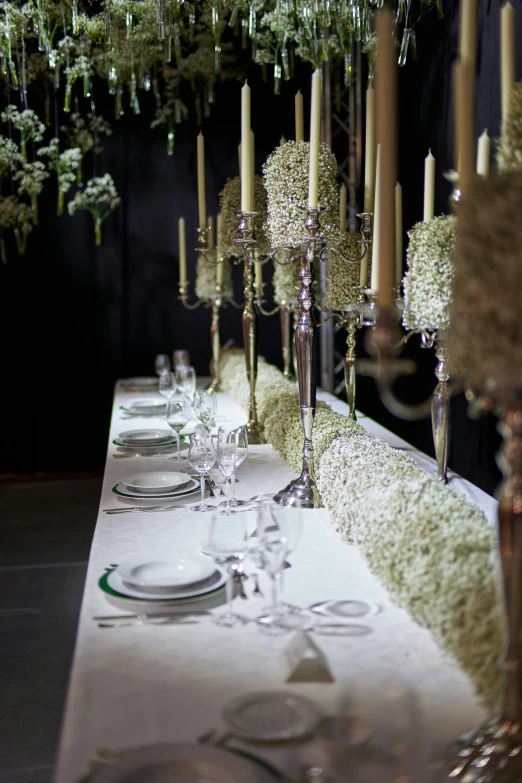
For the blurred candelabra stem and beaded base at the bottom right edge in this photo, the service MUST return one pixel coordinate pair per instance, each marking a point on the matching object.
(493, 753)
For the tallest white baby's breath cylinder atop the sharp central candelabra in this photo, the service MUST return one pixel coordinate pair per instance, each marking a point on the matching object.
(285, 174)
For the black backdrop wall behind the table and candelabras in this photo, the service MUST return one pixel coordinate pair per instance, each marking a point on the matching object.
(74, 317)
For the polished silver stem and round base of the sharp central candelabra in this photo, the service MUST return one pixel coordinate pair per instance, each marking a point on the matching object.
(304, 490)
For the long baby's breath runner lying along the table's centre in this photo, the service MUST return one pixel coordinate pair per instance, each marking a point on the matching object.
(433, 549)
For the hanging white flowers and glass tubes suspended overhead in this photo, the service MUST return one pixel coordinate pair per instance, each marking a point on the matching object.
(54, 54)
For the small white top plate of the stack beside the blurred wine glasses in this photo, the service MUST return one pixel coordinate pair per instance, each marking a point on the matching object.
(160, 572)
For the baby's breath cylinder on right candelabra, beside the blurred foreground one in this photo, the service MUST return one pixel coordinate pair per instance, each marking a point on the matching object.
(428, 280)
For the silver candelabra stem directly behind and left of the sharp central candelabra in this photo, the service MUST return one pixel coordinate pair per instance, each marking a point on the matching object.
(250, 335)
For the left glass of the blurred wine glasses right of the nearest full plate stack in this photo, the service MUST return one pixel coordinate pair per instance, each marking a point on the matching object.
(227, 544)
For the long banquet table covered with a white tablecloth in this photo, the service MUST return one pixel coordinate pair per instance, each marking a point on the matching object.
(139, 685)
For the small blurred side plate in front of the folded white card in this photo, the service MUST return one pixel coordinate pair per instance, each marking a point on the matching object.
(271, 716)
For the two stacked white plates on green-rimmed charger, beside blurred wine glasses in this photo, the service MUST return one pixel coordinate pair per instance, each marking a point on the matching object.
(159, 579)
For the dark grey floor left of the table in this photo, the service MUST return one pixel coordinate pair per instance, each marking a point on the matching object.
(45, 534)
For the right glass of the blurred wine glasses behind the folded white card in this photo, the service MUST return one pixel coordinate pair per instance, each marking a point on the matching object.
(279, 531)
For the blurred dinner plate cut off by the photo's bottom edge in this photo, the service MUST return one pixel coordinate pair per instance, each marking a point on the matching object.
(183, 763)
